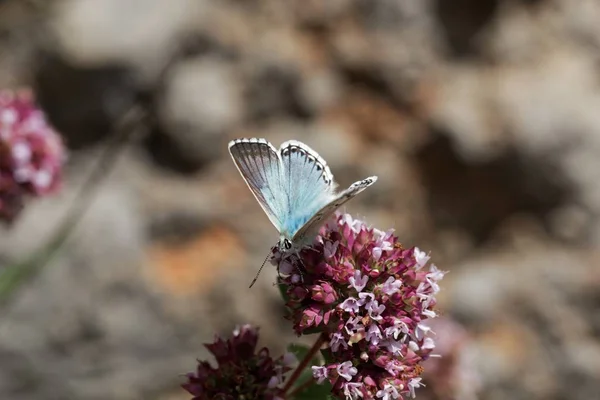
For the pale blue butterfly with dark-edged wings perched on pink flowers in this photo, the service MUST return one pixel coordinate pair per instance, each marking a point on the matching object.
(293, 185)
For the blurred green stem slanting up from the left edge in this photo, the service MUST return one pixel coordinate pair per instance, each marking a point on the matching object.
(13, 276)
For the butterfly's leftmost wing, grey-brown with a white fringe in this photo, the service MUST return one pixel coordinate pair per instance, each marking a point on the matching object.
(260, 166)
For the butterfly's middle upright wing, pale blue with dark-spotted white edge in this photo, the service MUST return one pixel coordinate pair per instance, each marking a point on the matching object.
(308, 184)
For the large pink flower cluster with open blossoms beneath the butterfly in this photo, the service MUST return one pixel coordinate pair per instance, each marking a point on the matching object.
(369, 296)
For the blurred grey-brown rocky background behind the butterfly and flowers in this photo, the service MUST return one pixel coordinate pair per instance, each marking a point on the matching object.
(481, 118)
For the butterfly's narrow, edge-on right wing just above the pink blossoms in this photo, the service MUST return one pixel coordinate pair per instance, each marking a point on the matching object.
(311, 227)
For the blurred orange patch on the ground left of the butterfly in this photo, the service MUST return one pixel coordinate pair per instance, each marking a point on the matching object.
(193, 266)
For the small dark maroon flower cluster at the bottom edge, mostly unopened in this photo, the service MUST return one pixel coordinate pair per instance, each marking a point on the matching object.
(241, 371)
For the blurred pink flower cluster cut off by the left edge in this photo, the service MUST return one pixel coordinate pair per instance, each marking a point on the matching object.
(31, 153)
